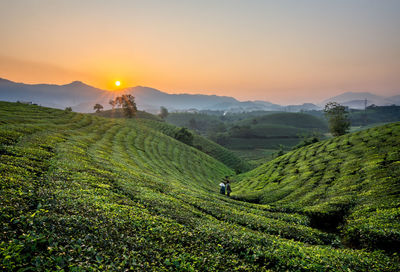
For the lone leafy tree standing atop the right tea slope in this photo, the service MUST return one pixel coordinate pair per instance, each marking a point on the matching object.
(337, 118)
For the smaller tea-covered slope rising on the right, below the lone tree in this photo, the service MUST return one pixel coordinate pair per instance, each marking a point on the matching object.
(353, 178)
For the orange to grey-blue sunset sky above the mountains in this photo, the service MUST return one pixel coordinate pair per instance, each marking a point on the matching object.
(279, 51)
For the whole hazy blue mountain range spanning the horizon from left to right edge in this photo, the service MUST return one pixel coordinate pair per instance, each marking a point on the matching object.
(82, 97)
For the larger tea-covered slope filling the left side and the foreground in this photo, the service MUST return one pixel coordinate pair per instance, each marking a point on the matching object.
(79, 192)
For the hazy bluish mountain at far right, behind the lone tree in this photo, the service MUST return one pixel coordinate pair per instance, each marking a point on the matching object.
(356, 100)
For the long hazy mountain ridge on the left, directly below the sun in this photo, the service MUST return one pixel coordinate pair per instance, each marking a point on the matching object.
(82, 97)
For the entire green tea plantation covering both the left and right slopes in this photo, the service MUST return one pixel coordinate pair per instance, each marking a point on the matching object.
(84, 193)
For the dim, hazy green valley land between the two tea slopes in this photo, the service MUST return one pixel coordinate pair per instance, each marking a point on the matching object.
(252, 135)
